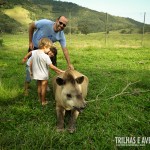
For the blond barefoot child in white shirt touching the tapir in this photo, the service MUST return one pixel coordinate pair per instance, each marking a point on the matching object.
(40, 62)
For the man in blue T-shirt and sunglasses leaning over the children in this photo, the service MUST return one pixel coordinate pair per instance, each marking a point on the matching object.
(53, 31)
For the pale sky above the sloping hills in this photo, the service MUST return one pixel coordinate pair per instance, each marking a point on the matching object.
(133, 9)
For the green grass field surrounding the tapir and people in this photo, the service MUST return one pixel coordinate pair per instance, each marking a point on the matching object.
(118, 97)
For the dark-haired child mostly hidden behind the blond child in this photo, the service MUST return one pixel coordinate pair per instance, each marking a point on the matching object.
(51, 53)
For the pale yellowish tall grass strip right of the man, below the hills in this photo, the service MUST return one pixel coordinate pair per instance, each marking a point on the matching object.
(113, 39)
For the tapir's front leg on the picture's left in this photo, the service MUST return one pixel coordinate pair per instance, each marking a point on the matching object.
(60, 118)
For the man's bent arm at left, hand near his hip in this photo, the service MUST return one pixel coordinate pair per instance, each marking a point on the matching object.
(32, 27)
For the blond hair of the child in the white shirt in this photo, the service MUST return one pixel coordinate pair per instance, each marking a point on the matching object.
(45, 42)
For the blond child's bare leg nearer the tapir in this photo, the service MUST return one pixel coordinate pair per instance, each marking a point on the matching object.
(43, 91)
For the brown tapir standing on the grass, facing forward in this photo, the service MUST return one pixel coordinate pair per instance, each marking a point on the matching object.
(70, 90)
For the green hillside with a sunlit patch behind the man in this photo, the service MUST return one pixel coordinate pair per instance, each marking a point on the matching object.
(82, 20)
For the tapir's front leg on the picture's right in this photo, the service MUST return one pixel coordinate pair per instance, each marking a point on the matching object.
(72, 122)
